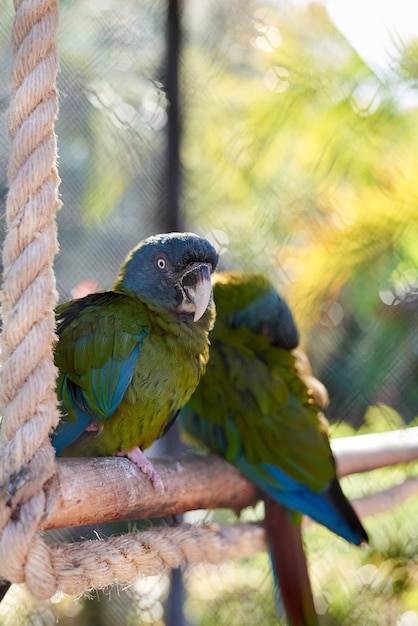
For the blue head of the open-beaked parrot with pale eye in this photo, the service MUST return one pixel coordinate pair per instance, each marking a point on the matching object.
(171, 271)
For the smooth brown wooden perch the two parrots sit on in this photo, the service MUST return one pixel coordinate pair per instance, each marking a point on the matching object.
(97, 490)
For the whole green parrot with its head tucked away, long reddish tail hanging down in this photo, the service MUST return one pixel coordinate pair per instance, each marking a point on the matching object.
(259, 406)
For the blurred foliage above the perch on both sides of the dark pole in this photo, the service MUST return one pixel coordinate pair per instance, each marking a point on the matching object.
(298, 160)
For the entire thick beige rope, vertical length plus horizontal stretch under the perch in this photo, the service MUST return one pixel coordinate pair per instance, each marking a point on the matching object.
(27, 384)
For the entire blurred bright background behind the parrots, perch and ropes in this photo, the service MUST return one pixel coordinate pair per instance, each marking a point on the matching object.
(266, 128)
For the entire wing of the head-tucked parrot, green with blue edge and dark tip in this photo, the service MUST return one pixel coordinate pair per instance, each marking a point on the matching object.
(265, 421)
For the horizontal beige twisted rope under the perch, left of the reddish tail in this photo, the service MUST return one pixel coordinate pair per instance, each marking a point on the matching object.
(121, 559)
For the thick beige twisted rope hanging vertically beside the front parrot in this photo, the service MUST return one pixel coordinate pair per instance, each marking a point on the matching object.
(27, 385)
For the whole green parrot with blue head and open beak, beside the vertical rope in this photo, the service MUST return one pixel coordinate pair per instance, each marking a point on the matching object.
(130, 358)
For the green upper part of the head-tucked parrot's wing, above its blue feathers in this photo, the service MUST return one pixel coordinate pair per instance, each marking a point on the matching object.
(253, 402)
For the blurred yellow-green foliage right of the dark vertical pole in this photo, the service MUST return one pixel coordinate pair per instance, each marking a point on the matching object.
(305, 167)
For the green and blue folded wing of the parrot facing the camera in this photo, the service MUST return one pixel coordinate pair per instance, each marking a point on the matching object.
(100, 338)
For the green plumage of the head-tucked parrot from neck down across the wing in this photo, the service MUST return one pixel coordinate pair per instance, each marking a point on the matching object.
(275, 418)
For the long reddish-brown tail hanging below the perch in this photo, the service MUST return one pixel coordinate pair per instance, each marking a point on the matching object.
(289, 564)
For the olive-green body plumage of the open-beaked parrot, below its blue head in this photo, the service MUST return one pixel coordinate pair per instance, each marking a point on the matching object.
(166, 371)
